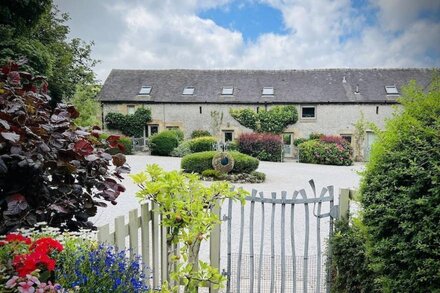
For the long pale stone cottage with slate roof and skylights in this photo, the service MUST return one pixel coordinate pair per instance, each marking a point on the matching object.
(328, 101)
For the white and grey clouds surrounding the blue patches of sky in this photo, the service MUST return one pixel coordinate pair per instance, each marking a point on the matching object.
(169, 34)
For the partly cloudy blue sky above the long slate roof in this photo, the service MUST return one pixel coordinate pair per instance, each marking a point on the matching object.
(257, 34)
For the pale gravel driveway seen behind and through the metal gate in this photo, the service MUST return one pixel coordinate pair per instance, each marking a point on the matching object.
(287, 176)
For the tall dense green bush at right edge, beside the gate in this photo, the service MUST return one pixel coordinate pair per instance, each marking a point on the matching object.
(400, 193)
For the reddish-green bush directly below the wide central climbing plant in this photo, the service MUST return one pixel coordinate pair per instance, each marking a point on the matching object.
(263, 146)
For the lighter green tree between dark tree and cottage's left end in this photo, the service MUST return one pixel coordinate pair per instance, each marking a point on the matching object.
(86, 104)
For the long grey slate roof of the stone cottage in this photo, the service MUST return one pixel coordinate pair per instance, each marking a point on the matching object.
(290, 86)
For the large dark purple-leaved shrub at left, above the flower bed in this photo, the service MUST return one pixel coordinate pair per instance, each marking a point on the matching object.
(49, 170)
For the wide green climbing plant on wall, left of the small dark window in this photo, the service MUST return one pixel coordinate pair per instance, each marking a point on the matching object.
(274, 120)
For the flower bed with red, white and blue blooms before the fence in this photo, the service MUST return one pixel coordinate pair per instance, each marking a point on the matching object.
(52, 262)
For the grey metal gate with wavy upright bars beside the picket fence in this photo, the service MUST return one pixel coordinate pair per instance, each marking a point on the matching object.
(280, 262)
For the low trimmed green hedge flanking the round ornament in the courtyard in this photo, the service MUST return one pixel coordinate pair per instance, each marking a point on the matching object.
(199, 162)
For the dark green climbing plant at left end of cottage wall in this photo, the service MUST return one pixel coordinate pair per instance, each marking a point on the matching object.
(130, 125)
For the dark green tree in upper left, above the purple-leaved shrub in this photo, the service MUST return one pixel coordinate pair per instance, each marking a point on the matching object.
(37, 31)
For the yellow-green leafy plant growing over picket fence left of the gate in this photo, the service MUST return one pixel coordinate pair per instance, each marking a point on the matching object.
(186, 206)
